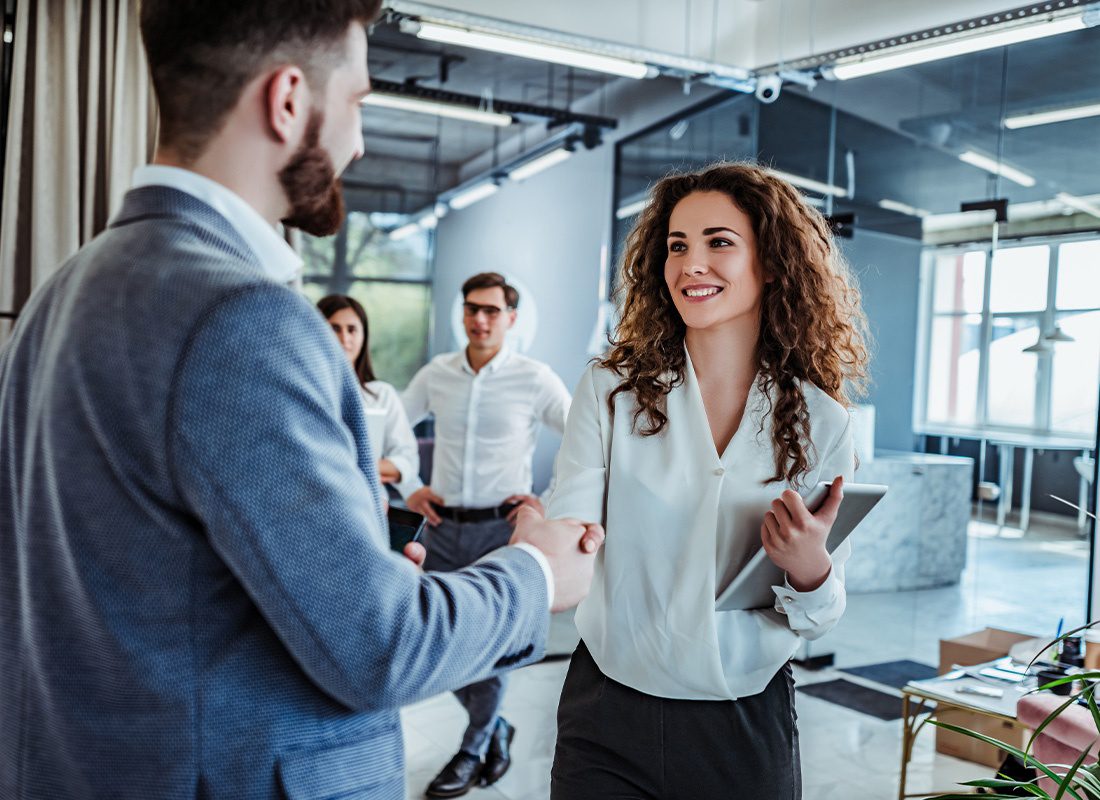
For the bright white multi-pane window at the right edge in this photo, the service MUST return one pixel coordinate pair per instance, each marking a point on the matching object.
(1022, 356)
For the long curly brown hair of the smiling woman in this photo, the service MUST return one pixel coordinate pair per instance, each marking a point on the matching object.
(812, 326)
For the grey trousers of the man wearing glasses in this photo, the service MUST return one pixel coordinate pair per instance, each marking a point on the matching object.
(453, 546)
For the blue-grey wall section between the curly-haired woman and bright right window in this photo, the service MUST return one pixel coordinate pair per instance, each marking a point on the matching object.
(889, 271)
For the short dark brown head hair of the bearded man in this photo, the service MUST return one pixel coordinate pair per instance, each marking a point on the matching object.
(203, 53)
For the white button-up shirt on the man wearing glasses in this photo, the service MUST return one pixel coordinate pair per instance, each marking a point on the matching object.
(487, 423)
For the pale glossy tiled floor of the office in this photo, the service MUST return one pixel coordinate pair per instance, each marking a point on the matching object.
(845, 755)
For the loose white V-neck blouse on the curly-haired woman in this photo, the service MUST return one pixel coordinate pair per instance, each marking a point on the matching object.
(676, 539)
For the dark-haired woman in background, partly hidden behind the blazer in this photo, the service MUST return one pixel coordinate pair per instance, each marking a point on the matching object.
(399, 457)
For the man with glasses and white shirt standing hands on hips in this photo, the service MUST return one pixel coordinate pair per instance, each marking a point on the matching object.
(489, 403)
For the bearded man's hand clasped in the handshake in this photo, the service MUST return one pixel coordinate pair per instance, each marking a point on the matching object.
(570, 547)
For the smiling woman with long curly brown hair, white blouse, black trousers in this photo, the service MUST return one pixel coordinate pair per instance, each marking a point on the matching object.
(724, 397)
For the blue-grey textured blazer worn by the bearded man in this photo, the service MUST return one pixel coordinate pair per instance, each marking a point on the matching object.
(197, 599)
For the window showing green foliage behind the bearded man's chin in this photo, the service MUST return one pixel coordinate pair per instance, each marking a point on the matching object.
(391, 278)
